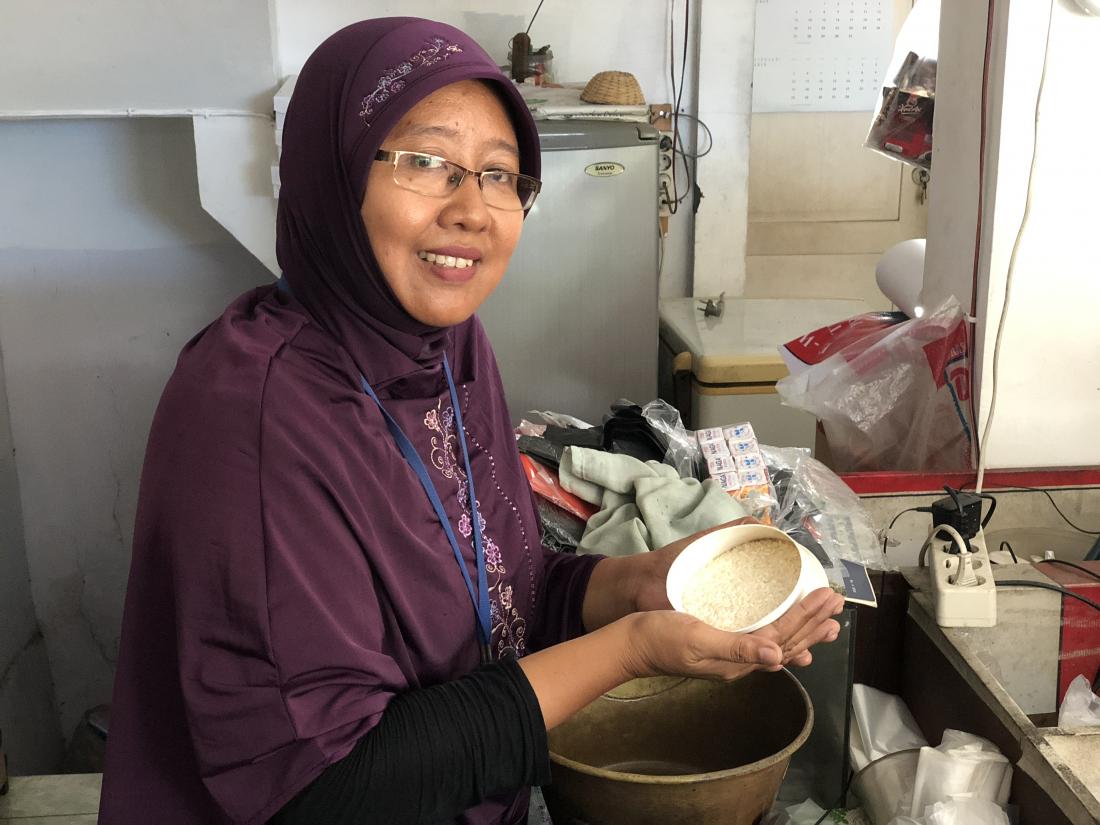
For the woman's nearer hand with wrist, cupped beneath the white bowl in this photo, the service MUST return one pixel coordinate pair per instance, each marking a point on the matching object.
(666, 643)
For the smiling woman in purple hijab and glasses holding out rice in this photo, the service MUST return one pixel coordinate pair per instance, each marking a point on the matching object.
(338, 607)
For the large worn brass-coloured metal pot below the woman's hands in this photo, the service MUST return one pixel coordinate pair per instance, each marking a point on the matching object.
(662, 752)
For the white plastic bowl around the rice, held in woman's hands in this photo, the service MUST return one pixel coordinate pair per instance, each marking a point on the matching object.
(699, 554)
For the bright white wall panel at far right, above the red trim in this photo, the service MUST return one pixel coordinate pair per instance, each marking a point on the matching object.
(1049, 397)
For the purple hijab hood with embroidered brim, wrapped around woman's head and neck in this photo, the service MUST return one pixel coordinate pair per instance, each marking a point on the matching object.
(351, 93)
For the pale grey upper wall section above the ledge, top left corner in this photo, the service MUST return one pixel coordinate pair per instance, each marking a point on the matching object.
(73, 56)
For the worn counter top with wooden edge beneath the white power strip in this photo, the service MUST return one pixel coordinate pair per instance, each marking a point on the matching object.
(1011, 669)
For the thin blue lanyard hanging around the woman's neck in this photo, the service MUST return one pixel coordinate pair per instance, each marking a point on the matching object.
(480, 599)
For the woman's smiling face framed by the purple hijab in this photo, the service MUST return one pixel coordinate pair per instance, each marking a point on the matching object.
(464, 123)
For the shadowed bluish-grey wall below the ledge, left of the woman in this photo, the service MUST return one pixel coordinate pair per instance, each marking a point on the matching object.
(108, 267)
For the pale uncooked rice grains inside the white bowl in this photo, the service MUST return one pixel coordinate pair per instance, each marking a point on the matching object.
(743, 585)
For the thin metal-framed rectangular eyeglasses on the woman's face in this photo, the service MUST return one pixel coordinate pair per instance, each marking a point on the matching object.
(437, 178)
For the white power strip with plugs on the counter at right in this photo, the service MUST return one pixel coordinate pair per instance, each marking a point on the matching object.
(959, 603)
